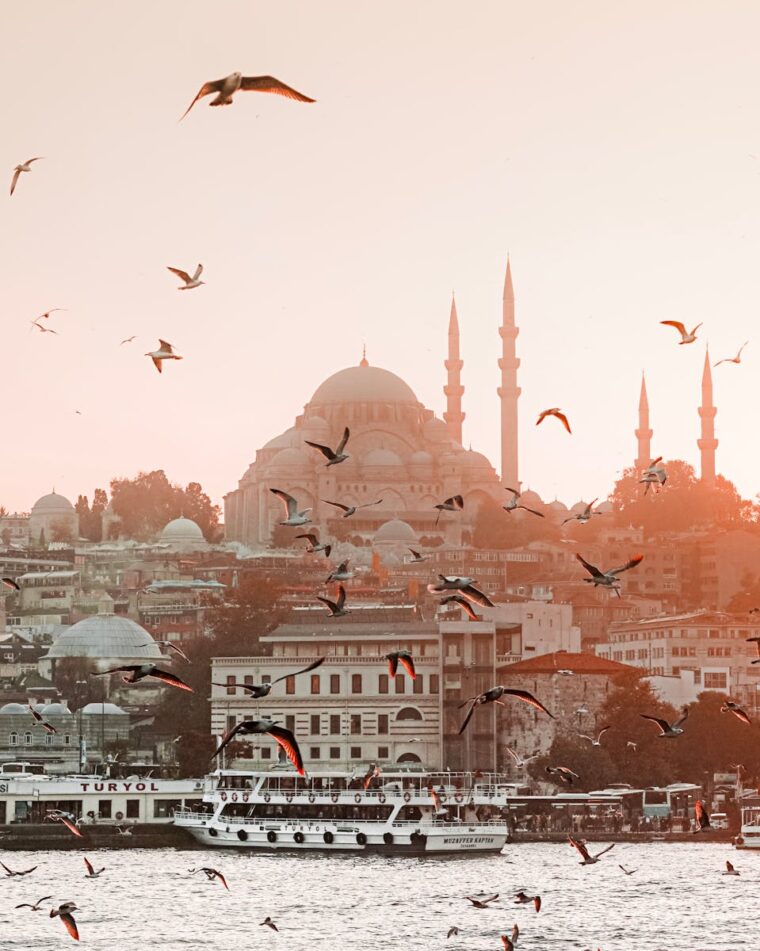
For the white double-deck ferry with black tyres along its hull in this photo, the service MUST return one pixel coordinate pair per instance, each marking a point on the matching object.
(400, 813)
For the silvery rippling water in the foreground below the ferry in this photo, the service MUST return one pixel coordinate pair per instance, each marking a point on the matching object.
(677, 900)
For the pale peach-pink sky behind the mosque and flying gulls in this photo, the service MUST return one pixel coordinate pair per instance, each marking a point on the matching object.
(612, 150)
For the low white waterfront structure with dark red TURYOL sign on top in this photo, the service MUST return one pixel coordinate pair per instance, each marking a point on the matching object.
(27, 795)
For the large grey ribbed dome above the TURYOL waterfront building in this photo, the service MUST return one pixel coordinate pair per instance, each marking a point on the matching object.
(107, 636)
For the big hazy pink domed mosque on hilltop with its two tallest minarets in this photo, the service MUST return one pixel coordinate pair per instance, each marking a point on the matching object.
(400, 452)
